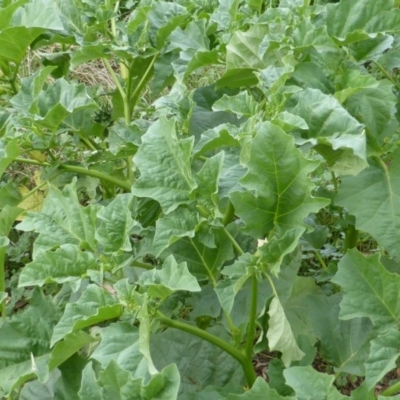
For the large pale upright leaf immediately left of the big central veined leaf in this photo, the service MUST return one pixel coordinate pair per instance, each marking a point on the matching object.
(164, 164)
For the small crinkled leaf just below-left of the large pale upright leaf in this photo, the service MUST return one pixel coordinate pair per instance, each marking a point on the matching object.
(115, 225)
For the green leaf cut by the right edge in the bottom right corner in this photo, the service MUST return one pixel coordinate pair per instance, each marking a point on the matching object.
(383, 355)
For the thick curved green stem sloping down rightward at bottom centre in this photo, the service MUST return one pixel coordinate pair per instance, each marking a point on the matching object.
(215, 340)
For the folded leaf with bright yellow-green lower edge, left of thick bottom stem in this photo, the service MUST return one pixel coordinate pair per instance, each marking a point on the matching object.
(94, 306)
